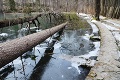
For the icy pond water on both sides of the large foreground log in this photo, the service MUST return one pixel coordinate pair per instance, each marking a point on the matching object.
(35, 65)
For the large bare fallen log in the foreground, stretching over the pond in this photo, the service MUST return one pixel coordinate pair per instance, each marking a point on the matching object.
(11, 50)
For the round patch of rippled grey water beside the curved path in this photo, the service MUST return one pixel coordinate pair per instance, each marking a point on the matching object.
(74, 43)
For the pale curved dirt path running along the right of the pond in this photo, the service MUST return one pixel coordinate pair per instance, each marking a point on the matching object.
(107, 64)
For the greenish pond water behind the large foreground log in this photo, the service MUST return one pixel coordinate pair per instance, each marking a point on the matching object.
(24, 29)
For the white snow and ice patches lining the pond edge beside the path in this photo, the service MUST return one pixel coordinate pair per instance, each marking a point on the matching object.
(76, 61)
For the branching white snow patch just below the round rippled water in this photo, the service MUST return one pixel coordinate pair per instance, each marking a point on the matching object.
(76, 61)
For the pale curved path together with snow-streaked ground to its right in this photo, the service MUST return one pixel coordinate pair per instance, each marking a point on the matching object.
(107, 66)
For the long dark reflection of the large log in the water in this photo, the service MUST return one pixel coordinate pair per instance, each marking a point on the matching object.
(41, 65)
